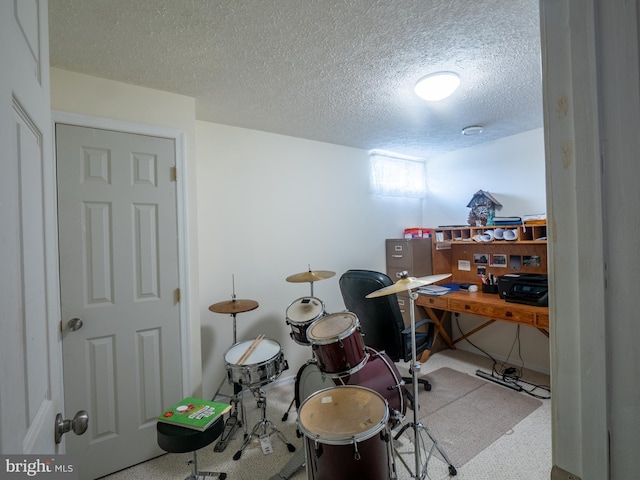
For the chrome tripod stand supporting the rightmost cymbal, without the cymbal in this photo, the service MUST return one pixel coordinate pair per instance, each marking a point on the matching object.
(416, 425)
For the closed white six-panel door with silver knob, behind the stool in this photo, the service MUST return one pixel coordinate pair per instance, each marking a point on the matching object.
(118, 276)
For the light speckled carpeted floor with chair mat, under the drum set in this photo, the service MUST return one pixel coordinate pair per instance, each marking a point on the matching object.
(488, 432)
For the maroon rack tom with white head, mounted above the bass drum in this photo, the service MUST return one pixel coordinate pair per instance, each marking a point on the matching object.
(337, 344)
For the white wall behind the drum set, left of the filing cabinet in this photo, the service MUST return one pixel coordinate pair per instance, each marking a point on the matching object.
(270, 206)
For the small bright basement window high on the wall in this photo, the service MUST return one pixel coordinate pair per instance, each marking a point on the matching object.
(397, 176)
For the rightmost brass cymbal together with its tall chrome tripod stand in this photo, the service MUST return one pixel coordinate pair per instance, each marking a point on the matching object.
(408, 284)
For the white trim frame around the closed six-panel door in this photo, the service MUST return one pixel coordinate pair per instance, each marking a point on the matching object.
(182, 213)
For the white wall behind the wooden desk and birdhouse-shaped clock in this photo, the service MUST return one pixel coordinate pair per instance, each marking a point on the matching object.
(513, 170)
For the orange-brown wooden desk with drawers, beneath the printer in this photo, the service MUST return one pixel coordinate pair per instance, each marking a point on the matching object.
(481, 304)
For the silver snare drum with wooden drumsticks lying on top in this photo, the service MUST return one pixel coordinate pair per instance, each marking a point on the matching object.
(262, 366)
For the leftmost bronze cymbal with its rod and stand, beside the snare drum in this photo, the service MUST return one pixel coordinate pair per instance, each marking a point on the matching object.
(232, 307)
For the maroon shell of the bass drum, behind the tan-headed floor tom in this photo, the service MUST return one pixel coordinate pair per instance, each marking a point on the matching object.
(381, 375)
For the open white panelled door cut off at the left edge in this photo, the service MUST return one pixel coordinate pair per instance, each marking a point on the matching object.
(30, 377)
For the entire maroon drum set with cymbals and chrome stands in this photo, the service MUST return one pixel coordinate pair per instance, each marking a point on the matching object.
(349, 397)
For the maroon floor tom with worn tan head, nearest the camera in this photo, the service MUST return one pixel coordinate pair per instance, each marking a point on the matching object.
(346, 434)
